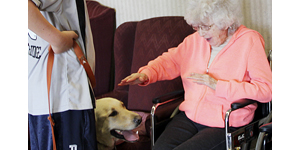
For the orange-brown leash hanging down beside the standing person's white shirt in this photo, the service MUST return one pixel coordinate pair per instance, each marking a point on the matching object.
(85, 65)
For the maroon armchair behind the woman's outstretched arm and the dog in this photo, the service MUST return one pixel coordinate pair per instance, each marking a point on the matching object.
(135, 44)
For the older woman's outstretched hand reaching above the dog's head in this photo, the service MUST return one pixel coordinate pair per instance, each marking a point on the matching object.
(135, 78)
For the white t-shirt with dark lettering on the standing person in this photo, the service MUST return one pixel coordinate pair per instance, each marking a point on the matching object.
(69, 86)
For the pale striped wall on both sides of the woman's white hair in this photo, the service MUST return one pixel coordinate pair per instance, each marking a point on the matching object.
(257, 13)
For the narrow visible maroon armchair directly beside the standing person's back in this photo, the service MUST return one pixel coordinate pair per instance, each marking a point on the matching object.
(103, 24)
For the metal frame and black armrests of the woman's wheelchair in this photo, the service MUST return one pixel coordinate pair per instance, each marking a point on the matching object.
(239, 139)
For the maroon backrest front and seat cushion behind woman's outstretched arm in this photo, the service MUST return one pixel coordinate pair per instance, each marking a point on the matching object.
(153, 37)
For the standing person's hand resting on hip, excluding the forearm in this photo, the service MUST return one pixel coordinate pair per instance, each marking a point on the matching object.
(65, 42)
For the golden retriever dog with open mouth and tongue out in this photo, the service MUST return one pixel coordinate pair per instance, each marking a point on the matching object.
(113, 122)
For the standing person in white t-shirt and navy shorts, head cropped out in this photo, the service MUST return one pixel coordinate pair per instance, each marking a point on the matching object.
(59, 23)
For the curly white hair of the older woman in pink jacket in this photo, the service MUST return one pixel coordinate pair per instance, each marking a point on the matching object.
(223, 13)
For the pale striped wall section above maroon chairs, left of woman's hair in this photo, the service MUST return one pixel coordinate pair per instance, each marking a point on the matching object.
(135, 10)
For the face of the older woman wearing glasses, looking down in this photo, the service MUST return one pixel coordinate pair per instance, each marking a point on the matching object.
(213, 35)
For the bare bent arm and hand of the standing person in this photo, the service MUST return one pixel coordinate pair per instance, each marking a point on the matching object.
(60, 41)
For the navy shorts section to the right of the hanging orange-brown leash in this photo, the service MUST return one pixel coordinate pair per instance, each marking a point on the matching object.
(75, 130)
